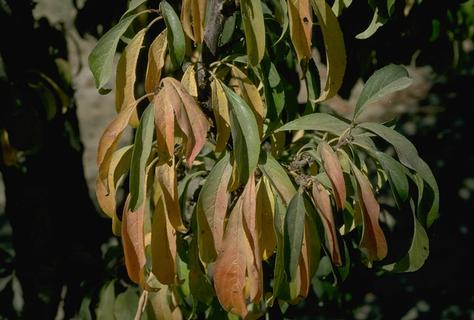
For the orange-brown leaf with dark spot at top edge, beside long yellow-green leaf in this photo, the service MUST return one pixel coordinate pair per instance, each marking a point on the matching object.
(301, 25)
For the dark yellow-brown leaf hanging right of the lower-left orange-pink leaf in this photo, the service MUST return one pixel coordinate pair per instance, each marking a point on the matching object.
(163, 240)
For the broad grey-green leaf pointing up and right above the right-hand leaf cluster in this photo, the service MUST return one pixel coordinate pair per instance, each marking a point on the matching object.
(384, 81)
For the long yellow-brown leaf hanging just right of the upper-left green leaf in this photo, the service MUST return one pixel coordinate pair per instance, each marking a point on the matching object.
(126, 75)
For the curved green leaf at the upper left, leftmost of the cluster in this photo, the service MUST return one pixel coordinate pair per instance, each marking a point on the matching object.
(101, 59)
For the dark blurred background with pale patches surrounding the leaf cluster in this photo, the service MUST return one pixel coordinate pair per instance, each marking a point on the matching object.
(57, 250)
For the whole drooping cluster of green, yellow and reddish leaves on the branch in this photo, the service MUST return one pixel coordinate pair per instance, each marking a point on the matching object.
(228, 174)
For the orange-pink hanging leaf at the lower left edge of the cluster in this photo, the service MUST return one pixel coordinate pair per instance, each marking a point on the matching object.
(133, 241)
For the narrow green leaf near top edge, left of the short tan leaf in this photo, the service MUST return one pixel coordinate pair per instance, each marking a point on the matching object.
(176, 40)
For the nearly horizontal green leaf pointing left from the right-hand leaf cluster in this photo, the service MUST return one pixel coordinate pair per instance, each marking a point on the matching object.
(318, 122)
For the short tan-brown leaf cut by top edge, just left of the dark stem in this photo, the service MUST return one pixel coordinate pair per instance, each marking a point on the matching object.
(192, 18)
